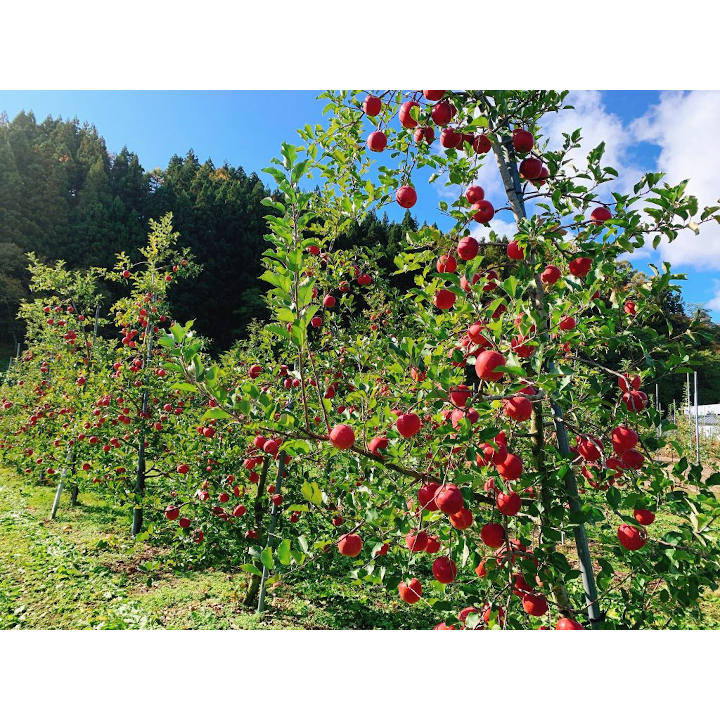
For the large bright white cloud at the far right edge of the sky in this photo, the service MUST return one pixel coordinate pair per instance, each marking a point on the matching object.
(685, 125)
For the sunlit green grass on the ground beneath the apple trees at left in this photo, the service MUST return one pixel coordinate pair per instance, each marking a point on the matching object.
(83, 571)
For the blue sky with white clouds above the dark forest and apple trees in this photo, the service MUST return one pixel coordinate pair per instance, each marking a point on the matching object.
(644, 130)
